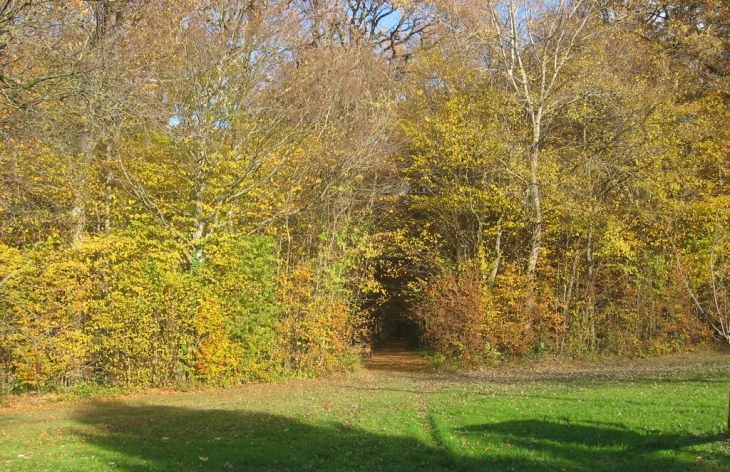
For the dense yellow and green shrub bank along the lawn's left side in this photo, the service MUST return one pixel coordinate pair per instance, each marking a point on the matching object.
(99, 313)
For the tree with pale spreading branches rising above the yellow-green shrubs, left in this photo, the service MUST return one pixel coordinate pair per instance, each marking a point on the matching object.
(220, 134)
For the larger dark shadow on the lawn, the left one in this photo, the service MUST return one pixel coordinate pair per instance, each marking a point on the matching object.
(167, 438)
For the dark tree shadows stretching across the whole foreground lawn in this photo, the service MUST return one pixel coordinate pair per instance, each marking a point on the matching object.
(170, 439)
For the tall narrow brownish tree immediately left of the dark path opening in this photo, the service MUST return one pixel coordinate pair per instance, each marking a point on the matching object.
(345, 92)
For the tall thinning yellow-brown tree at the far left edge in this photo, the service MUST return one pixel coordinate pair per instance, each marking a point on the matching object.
(71, 87)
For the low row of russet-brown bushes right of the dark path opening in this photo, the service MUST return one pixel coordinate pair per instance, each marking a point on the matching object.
(467, 322)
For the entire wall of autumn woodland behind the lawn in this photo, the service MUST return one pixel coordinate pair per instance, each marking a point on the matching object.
(220, 191)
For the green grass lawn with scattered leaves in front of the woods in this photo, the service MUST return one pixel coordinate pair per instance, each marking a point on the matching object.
(373, 421)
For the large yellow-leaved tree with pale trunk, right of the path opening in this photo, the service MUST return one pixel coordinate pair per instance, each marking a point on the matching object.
(606, 130)
